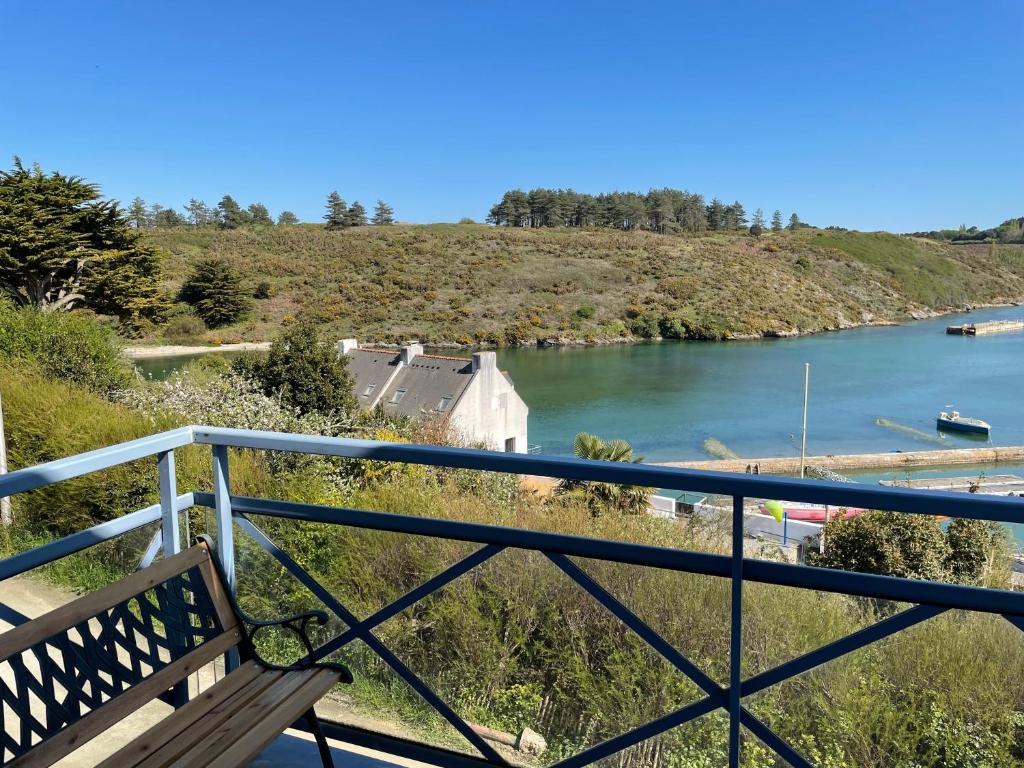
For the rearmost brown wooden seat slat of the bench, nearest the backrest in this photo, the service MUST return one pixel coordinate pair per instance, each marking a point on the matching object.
(195, 715)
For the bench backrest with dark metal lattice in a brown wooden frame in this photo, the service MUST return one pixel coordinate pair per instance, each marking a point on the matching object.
(69, 675)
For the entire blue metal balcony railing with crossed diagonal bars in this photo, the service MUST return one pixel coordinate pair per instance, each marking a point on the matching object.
(930, 599)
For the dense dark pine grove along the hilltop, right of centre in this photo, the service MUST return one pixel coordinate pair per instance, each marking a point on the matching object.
(660, 210)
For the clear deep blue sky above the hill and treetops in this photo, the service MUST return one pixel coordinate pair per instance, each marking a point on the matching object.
(876, 115)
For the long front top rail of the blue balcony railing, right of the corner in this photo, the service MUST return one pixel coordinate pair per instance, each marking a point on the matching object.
(1003, 509)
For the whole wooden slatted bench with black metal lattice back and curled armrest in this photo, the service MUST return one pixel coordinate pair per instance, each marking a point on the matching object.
(77, 671)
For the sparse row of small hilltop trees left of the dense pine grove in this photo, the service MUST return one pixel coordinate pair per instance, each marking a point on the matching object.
(228, 215)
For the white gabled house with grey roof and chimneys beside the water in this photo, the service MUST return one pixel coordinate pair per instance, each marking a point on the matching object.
(479, 401)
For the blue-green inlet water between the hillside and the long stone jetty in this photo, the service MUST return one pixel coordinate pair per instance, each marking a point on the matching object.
(666, 399)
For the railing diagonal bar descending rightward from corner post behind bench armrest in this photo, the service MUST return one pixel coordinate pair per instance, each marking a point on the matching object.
(372, 642)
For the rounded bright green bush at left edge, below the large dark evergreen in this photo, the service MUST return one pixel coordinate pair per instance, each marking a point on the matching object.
(65, 346)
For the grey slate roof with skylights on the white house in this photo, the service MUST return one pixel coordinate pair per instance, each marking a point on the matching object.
(422, 385)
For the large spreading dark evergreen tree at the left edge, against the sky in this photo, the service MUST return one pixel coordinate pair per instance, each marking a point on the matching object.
(62, 245)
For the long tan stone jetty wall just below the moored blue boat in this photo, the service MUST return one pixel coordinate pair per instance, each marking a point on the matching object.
(893, 460)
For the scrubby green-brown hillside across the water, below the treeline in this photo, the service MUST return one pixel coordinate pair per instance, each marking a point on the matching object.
(474, 284)
